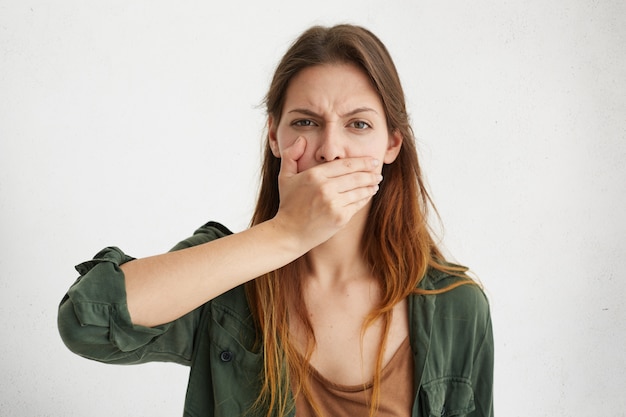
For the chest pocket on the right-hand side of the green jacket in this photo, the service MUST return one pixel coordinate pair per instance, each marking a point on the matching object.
(448, 397)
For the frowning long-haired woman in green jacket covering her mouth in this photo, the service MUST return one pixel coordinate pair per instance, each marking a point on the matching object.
(336, 301)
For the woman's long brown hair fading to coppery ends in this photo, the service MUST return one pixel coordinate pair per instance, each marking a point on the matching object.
(397, 243)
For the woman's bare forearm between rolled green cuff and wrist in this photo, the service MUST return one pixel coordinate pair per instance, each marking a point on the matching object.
(163, 288)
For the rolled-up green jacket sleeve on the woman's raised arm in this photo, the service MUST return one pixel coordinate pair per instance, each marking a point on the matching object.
(94, 321)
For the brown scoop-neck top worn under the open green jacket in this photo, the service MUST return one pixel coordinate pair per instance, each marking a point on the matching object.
(396, 394)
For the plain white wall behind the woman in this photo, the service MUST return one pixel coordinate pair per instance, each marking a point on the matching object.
(131, 123)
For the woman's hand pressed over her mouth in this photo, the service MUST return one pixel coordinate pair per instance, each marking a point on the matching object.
(316, 203)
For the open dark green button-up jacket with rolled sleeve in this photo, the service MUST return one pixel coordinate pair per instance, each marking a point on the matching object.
(450, 334)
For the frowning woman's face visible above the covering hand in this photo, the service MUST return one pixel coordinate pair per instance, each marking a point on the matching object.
(336, 109)
